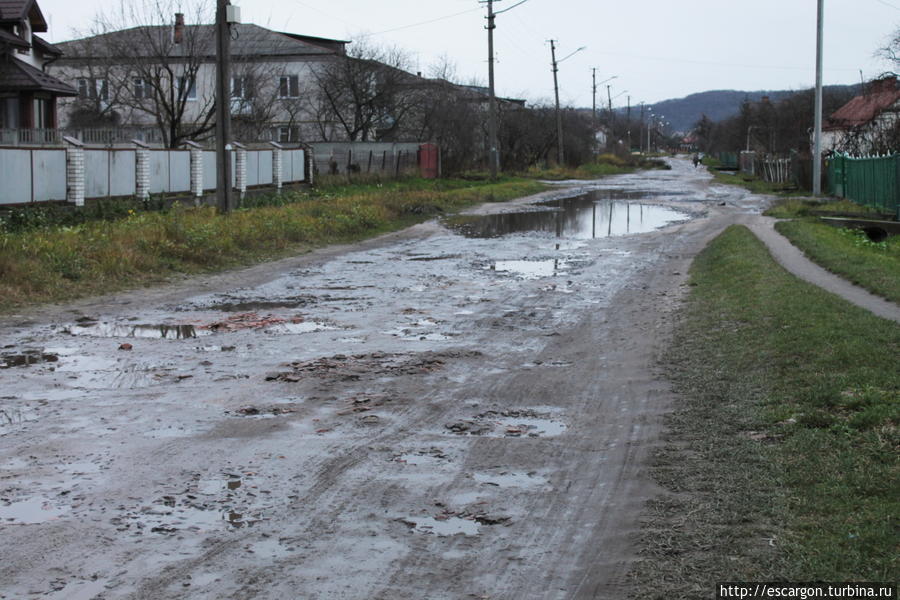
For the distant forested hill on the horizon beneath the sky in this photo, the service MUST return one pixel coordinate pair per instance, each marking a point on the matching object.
(683, 113)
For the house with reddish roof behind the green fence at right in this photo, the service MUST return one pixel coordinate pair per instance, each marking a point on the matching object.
(867, 123)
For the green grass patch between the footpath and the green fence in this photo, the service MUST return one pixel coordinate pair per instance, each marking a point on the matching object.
(850, 254)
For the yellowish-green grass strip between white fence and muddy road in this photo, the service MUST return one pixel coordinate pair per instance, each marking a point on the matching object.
(50, 262)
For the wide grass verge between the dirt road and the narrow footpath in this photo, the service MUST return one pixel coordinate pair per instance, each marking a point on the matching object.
(780, 459)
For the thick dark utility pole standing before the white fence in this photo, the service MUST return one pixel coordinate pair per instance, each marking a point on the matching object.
(224, 194)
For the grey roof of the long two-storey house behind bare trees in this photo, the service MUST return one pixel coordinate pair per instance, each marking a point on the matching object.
(247, 40)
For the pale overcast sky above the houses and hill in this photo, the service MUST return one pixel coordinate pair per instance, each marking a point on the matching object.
(658, 49)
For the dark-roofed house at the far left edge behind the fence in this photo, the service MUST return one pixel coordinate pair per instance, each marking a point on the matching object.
(28, 94)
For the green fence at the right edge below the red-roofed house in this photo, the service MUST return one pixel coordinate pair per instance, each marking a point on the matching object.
(873, 181)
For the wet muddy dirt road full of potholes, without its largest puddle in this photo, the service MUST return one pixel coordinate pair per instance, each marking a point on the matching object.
(433, 414)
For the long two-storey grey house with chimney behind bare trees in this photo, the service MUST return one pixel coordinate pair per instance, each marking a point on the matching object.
(163, 77)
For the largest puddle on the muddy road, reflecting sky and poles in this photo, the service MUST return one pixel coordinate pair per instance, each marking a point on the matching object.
(599, 214)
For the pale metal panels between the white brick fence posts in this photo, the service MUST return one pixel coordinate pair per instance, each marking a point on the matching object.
(39, 175)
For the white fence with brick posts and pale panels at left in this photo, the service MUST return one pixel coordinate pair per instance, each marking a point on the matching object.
(76, 172)
